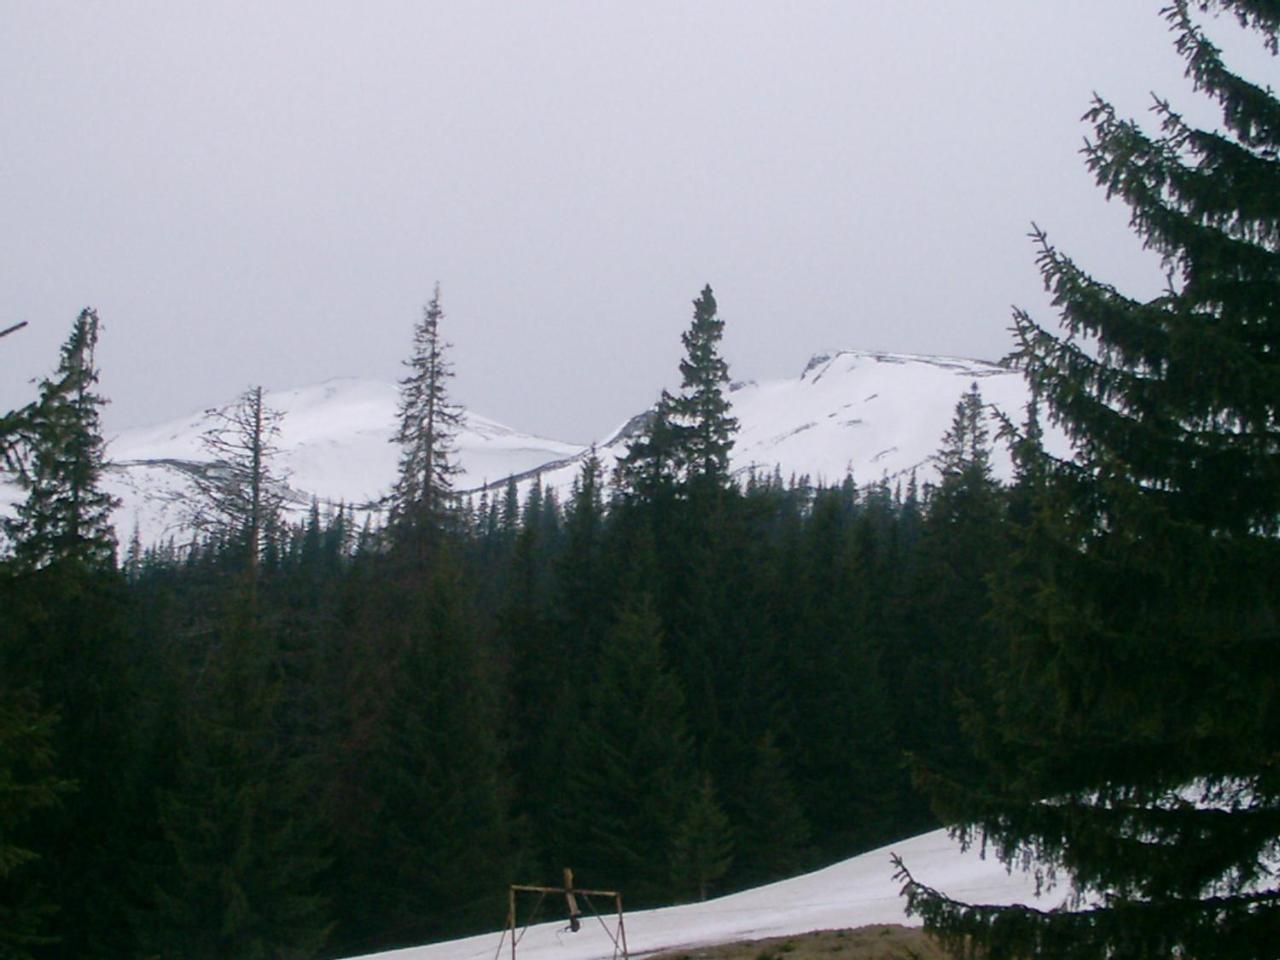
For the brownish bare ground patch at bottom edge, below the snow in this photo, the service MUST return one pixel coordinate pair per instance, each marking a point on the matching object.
(889, 941)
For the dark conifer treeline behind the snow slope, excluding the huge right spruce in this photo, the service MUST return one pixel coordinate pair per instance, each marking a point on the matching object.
(326, 739)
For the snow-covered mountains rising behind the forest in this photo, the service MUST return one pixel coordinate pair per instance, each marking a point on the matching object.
(875, 415)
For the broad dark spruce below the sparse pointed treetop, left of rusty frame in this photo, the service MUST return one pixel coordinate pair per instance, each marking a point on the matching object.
(431, 851)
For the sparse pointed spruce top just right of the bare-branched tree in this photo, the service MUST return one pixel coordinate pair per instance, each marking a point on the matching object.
(428, 427)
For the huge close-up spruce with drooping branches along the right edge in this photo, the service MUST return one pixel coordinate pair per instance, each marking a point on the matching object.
(1137, 728)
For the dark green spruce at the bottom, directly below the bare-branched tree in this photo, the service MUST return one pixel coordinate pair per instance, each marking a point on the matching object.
(240, 822)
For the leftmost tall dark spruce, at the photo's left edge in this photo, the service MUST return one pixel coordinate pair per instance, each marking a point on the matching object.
(65, 642)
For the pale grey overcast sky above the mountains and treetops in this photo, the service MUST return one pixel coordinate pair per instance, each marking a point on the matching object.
(266, 193)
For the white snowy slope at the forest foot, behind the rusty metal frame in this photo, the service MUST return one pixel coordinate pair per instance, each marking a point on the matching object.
(852, 894)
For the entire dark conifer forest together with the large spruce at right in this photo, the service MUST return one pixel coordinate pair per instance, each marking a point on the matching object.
(327, 738)
